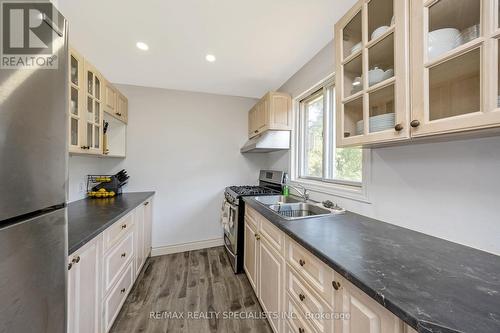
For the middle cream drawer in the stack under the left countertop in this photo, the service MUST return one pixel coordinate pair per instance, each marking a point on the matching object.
(117, 259)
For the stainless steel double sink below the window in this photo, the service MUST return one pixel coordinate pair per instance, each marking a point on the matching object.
(291, 208)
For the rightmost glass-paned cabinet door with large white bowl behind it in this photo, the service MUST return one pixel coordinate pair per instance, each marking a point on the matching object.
(455, 71)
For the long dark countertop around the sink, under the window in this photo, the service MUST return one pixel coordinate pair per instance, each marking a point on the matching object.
(432, 284)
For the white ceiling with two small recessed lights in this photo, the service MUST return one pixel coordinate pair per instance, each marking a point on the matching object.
(259, 44)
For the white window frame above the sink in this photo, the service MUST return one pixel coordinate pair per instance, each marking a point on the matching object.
(349, 189)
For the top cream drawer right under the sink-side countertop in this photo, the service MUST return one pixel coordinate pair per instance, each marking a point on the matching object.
(314, 272)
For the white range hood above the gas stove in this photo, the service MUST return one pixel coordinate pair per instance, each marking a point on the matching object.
(267, 142)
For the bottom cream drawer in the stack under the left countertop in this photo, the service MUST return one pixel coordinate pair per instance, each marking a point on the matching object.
(117, 296)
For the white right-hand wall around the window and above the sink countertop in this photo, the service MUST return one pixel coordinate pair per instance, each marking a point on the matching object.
(449, 190)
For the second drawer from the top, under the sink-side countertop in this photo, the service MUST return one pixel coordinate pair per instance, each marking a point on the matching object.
(319, 314)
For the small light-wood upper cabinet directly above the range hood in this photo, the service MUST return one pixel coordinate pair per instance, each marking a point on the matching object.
(272, 112)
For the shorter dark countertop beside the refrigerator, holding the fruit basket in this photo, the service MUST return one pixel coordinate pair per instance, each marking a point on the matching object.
(87, 218)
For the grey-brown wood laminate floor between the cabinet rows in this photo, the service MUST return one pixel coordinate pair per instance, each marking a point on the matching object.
(180, 286)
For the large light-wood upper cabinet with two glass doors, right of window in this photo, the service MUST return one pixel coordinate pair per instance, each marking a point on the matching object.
(454, 57)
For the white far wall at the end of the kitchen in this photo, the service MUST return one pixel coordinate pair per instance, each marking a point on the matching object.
(185, 146)
